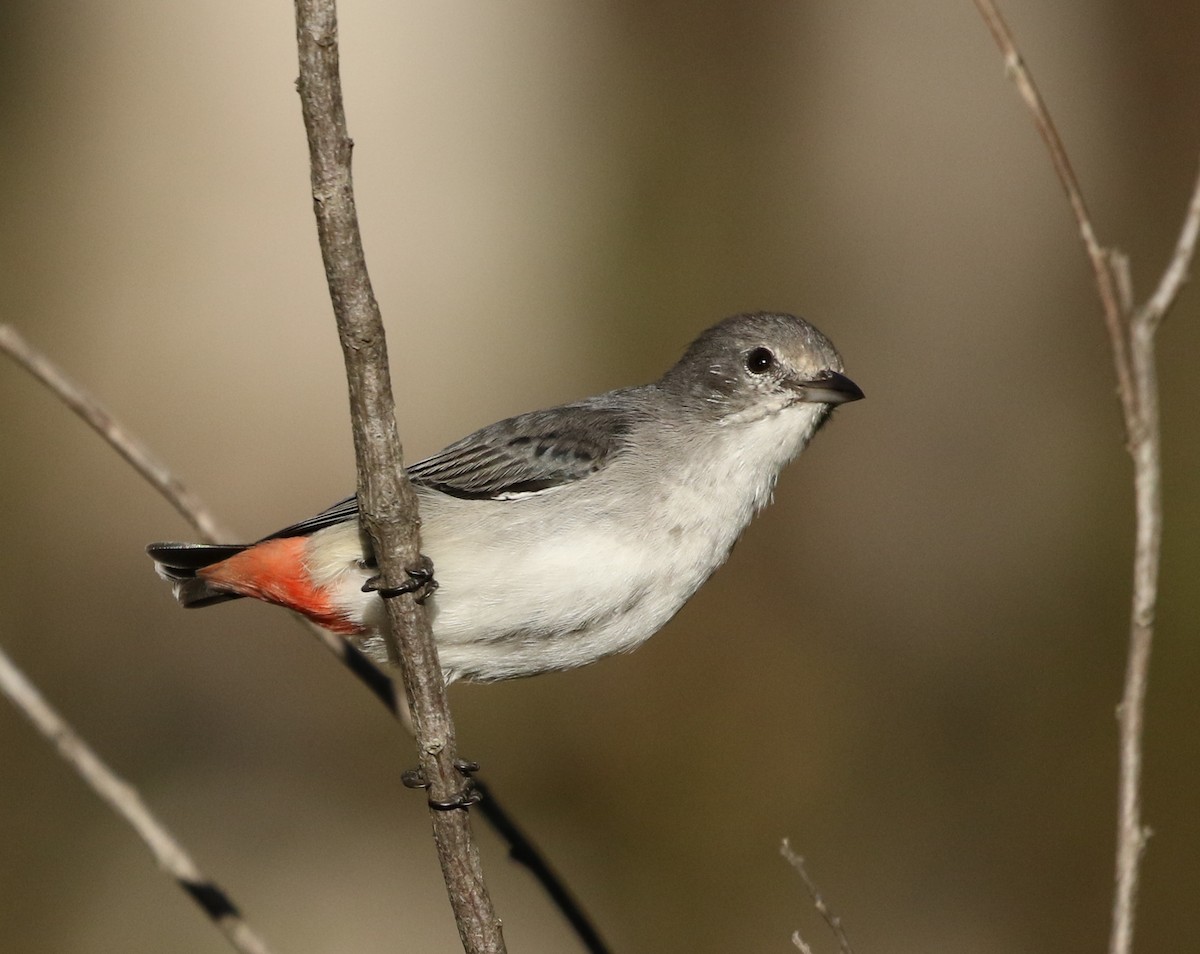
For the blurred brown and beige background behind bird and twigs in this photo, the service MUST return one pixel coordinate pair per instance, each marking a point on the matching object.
(911, 664)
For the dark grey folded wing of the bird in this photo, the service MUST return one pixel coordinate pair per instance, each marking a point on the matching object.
(531, 453)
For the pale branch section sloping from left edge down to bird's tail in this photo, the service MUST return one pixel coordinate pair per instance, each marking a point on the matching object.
(98, 417)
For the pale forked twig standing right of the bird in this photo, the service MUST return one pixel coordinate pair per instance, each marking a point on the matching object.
(1132, 337)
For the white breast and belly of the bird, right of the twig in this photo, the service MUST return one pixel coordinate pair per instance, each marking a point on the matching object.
(560, 579)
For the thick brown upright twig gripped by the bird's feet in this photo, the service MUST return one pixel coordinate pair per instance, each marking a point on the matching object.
(386, 497)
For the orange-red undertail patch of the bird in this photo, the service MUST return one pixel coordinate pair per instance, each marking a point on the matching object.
(275, 572)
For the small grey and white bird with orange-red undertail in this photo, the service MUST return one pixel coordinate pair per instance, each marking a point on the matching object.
(563, 536)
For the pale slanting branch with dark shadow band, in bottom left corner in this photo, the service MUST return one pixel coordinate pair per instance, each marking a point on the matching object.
(125, 801)
